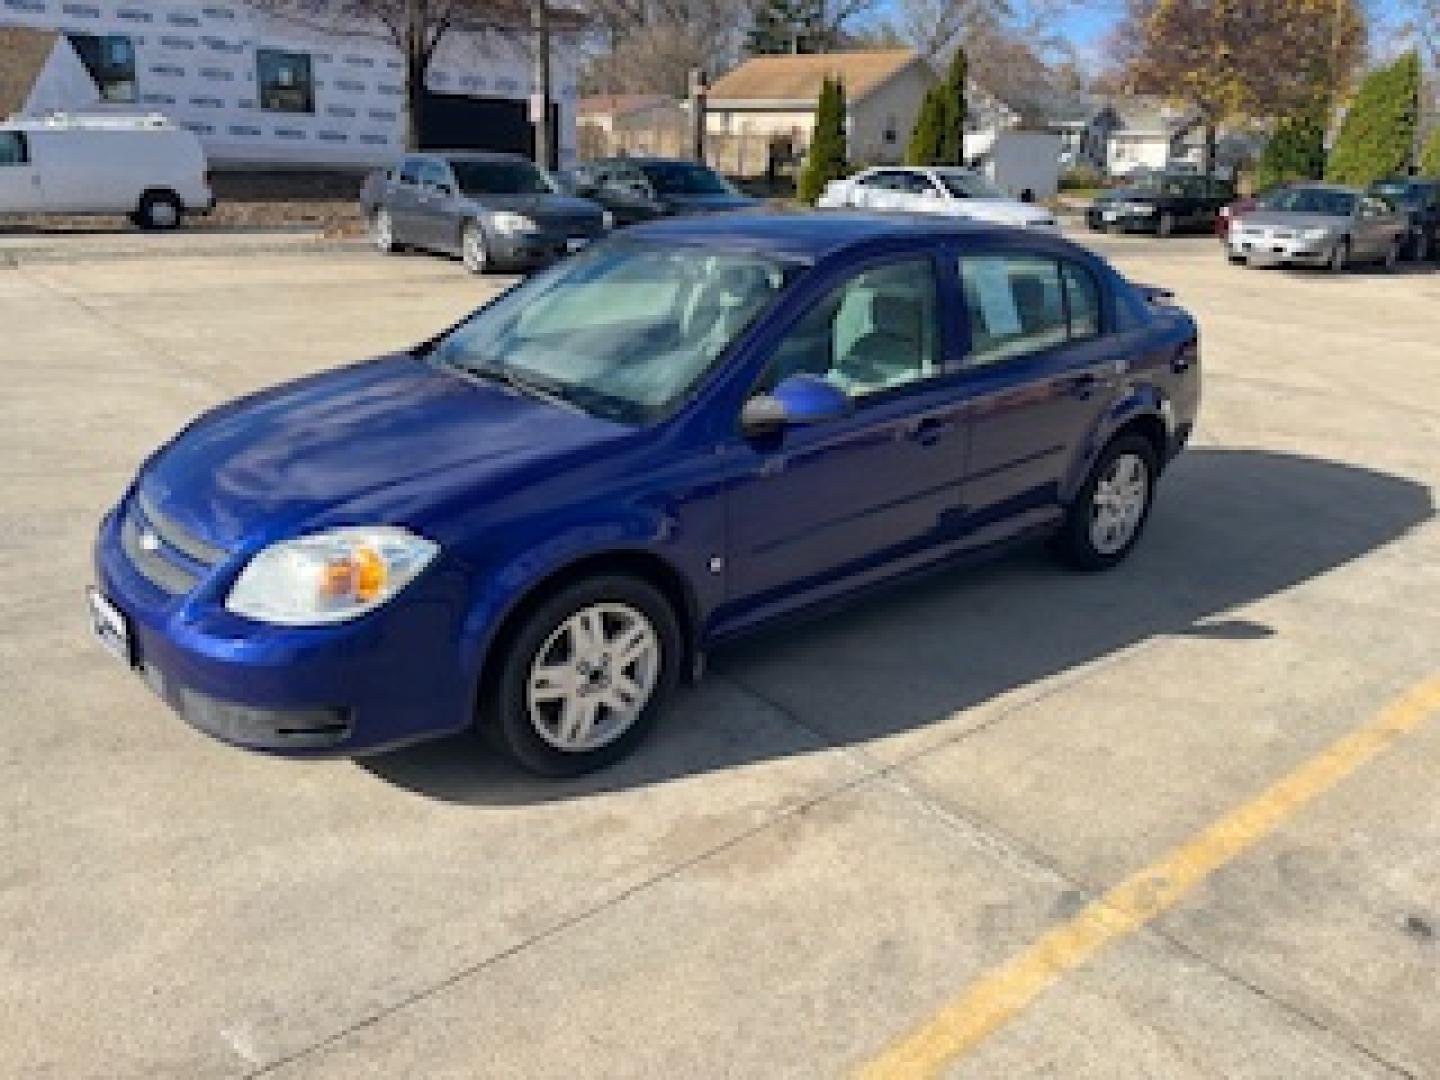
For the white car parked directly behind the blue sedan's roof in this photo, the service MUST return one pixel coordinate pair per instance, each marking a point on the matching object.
(941, 191)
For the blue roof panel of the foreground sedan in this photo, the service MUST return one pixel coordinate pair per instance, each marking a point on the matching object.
(807, 235)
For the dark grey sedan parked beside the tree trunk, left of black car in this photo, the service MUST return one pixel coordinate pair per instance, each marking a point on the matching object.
(495, 211)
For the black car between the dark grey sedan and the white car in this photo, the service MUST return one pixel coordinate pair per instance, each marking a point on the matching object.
(640, 189)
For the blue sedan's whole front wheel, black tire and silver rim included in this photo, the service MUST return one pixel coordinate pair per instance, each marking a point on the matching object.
(571, 721)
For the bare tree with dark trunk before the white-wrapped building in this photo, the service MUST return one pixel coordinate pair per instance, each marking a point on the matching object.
(413, 28)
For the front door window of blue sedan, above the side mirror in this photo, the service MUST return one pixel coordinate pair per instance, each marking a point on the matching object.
(875, 333)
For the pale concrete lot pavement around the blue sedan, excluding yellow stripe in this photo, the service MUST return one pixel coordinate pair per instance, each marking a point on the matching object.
(843, 829)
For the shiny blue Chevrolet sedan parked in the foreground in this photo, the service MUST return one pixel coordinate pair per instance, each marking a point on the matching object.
(546, 516)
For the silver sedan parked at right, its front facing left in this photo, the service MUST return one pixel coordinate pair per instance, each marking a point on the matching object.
(1320, 225)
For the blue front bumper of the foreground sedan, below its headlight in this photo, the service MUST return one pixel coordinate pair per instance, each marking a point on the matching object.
(387, 679)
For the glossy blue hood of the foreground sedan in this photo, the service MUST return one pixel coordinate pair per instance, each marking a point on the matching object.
(390, 441)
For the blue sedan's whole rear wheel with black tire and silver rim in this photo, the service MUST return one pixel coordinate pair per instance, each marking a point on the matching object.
(1086, 539)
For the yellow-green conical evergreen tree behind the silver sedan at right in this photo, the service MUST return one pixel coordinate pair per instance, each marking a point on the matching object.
(1379, 135)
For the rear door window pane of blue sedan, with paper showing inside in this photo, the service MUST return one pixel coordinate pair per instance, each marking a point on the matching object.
(1016, 306)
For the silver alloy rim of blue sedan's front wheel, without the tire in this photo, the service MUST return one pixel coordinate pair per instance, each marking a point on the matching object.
(593, 678)
